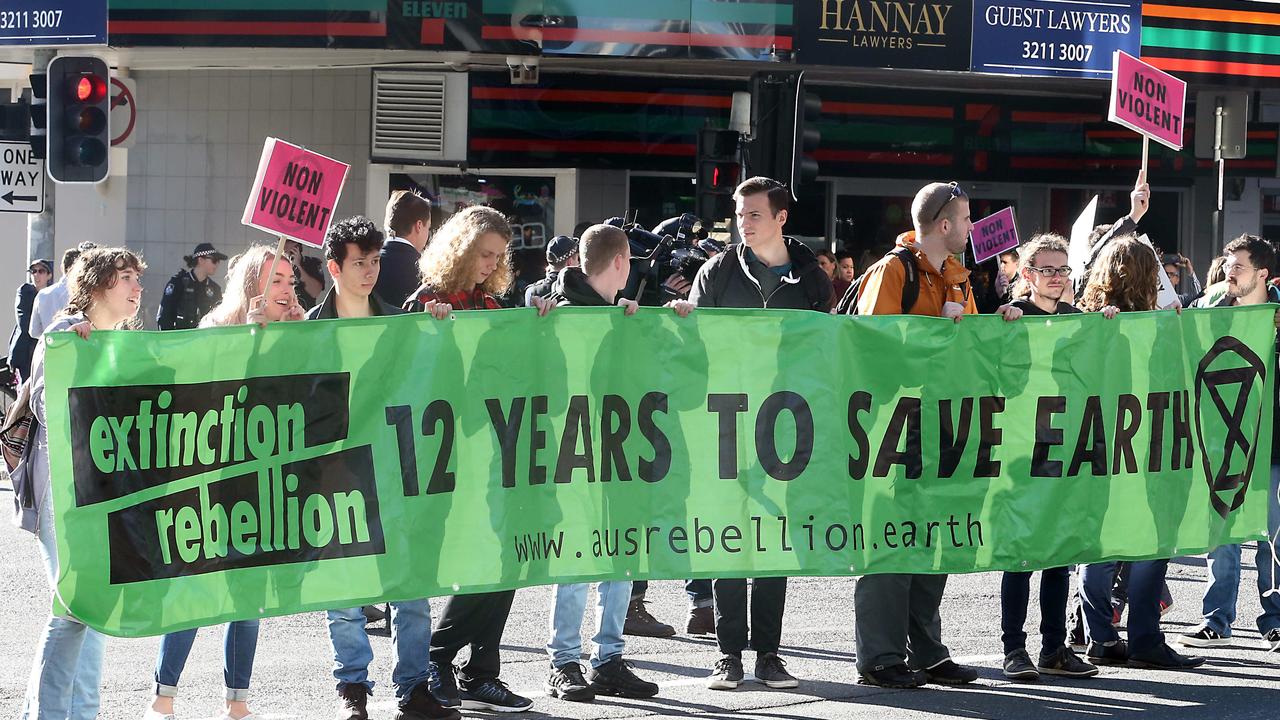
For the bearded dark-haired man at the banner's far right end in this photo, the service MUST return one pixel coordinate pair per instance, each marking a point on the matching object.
(1250, 265)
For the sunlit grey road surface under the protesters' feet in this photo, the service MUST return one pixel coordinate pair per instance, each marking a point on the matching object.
(292, 675)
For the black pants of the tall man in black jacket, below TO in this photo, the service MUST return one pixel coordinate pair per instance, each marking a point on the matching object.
(769, 601)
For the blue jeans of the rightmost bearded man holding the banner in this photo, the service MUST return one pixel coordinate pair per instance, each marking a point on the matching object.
(1224, 571)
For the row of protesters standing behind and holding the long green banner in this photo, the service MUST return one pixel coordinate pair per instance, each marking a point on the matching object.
(464, 266)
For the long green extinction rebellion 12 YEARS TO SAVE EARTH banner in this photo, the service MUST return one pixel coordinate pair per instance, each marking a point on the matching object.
(208, 476)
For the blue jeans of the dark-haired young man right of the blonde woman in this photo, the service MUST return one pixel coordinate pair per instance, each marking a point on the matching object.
(412, 639)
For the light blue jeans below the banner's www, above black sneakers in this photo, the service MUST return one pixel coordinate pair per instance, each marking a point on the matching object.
(566, 627)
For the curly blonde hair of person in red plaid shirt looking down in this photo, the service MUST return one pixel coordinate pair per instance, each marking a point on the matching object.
(450, 261)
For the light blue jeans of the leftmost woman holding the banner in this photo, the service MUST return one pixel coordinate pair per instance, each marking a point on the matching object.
(68, 668)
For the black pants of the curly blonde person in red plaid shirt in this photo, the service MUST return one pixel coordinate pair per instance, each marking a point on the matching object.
(477, 621)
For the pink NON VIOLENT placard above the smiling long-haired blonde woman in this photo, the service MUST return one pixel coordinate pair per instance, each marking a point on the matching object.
(295, 193)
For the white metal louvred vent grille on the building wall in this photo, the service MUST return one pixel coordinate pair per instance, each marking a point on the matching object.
(412, 117)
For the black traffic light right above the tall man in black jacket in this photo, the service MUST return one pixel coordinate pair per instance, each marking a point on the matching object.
(783, 129)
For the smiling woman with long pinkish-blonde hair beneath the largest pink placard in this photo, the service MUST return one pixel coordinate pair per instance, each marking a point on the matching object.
(252, 298)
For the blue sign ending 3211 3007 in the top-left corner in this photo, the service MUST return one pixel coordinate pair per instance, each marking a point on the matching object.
(36, 24)
